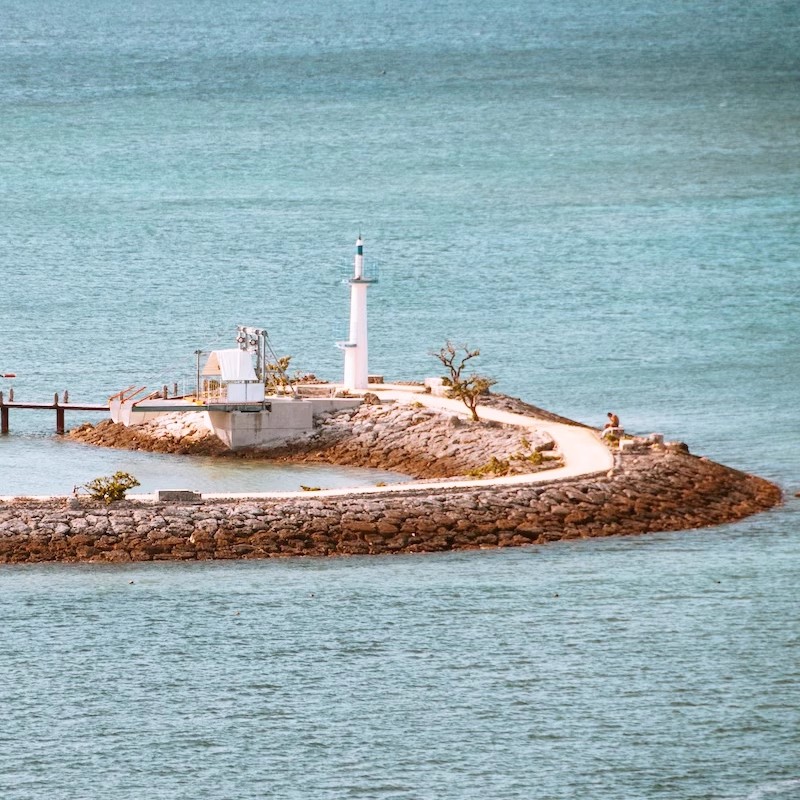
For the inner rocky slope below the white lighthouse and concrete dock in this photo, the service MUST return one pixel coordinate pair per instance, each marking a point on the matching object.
(409, 438)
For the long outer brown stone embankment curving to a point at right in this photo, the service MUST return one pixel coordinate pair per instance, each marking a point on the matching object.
(656, 491)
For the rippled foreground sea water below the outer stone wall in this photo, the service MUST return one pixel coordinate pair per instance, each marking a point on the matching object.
(652, 667)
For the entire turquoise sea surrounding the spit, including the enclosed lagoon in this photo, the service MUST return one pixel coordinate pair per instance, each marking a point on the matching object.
(603, 197)
